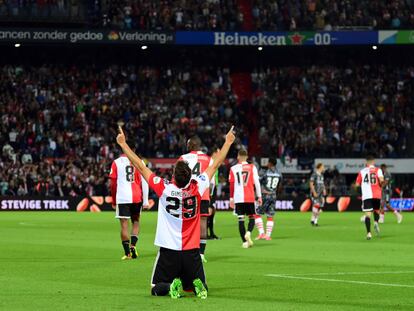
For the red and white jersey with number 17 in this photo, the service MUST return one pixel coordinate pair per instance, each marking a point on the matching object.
(244, 179)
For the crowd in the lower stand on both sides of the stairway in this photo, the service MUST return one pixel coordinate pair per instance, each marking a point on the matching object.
(58, 123)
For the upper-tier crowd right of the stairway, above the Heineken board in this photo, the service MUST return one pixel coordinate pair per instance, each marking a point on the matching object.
(332, 14)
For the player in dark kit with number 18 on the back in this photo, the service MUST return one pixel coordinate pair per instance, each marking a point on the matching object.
(271, 181)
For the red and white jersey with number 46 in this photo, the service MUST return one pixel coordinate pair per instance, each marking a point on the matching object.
(369, 179)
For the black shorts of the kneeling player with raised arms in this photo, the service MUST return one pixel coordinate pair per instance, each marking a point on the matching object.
(171, 264)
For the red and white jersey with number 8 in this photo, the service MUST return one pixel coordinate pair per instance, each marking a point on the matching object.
(127, 184)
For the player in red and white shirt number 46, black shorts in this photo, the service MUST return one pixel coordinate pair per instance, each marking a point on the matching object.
(371, 180)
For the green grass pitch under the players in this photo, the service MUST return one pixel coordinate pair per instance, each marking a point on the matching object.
(71, 261)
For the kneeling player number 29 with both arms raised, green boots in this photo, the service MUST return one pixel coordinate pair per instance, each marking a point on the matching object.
(178, 264)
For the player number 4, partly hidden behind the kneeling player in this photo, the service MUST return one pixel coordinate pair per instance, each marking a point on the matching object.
(198, 163)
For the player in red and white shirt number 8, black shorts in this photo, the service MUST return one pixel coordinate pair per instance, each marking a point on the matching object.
(129, 194)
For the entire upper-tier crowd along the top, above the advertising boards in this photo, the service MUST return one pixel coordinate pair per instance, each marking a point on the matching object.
(222, 15)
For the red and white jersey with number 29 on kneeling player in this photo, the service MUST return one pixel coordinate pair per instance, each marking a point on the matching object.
(178, 225)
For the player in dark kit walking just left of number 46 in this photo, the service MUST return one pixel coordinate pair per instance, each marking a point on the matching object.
(318, 192)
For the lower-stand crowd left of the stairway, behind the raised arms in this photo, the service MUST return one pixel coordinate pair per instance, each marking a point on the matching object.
(58, 123)
